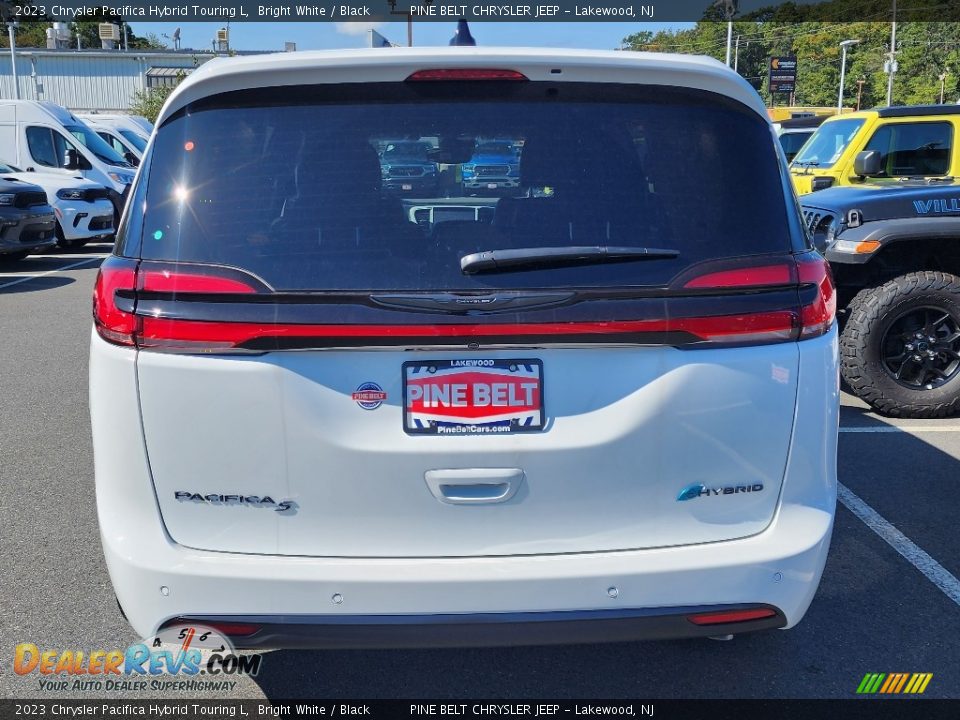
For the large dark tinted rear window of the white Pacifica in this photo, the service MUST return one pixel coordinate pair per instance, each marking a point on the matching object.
(300, 186)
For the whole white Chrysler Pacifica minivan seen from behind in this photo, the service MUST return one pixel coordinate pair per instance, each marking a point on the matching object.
(601, 407)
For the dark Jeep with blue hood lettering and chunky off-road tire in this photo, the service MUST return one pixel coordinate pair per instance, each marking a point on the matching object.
(895, 254)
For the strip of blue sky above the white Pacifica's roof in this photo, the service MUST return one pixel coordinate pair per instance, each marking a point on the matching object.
(329, 35)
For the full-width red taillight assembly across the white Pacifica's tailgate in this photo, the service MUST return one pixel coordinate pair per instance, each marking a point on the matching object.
(804, 284)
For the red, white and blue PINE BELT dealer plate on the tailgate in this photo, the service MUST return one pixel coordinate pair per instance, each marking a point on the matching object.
(472, 396)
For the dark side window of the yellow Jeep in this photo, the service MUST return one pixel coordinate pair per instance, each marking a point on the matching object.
(913, 149)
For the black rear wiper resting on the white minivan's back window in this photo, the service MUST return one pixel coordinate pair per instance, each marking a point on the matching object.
(529, 258)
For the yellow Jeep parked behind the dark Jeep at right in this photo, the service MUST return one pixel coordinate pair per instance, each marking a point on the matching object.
(882, 145)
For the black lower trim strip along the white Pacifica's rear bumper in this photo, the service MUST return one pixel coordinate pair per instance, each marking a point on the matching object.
(483, 630)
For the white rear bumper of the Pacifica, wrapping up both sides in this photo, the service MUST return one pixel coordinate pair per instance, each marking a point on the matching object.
(156, 579)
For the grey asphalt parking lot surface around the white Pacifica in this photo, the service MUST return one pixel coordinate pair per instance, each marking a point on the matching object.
(889, 600)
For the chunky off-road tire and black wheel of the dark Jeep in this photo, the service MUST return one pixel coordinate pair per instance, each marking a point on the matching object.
(900, 348)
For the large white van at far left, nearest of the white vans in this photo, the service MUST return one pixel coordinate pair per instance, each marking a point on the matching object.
(42, 136)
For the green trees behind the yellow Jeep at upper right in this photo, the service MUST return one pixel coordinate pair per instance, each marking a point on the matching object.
(925, 51)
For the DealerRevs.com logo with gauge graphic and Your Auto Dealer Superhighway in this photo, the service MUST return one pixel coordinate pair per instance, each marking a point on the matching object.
(179, 658)
